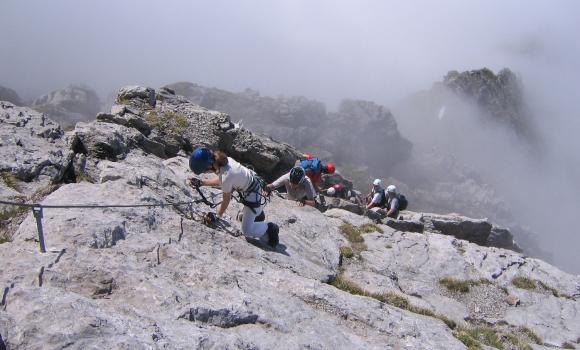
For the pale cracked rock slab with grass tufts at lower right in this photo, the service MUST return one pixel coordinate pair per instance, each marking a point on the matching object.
(419, 261)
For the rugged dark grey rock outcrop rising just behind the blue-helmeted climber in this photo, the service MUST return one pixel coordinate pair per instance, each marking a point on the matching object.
(165, 124)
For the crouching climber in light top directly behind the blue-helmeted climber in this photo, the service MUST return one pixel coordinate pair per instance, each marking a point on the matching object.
(298, 186)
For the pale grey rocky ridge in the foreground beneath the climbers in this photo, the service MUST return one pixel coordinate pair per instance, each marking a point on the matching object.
(157, 278)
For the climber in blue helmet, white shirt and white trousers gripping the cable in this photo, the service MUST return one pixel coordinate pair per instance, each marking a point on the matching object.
(232, 176)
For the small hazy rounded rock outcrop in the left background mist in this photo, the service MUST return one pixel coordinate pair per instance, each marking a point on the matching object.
(69, 105)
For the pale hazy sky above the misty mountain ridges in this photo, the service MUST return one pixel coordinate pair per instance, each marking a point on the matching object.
(379, 50)
